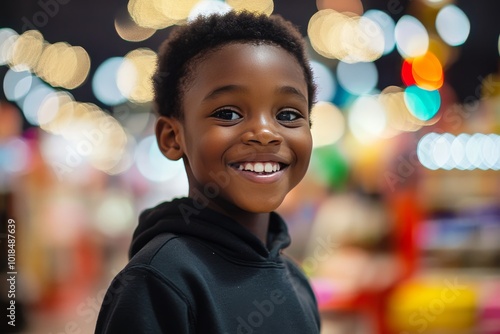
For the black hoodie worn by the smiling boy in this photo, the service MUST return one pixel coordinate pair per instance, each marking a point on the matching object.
(194, 270)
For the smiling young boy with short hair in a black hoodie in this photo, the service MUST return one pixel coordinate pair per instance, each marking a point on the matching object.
(233, 94)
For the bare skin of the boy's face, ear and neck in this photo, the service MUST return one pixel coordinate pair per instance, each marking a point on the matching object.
(245, 133)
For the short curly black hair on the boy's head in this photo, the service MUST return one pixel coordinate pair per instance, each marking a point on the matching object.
(188, 44)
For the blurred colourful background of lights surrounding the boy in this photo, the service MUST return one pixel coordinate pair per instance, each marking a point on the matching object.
(397, 222)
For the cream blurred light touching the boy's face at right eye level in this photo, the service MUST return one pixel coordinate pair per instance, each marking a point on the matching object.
(328, 124)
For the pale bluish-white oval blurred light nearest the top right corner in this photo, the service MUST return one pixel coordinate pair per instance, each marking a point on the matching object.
(452, 25)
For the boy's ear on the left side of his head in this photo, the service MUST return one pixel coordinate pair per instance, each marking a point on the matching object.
(169, 134)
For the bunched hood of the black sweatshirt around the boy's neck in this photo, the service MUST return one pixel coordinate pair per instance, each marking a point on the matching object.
(185, 217)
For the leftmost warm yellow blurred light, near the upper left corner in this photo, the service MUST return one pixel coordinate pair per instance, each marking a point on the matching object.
(26, 51)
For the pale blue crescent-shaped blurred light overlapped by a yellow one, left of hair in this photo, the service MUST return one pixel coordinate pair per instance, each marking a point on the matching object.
(104, 82)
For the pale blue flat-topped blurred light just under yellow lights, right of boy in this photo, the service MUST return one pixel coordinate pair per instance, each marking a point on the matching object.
(357, 78)
